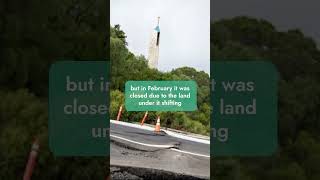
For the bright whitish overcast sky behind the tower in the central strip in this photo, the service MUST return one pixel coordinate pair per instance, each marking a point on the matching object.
(184, 26)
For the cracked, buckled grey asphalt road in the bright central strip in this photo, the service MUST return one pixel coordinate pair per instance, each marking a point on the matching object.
(133, 147)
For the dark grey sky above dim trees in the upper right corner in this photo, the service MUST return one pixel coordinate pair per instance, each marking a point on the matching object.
(284, 14)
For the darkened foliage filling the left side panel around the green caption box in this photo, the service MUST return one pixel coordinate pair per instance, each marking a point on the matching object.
(34, 34)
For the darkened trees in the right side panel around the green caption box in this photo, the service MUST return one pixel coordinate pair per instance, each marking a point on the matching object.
(298, 62)
